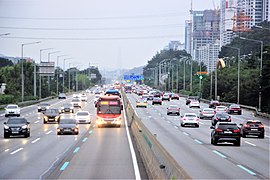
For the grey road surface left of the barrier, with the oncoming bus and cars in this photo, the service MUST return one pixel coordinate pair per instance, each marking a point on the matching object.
(96, 153)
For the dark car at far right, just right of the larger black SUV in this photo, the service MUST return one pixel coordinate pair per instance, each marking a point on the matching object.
(252, 127)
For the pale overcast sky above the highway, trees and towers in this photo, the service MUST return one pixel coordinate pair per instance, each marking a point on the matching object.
(110, 34)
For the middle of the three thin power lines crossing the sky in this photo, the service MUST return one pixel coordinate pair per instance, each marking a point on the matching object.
(92, 29)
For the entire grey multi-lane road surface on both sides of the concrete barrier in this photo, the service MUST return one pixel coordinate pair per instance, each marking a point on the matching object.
(106, 153)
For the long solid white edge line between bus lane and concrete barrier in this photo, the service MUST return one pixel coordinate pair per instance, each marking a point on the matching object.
(133, 155)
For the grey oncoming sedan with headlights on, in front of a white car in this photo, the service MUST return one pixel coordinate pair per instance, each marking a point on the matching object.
(67, 126)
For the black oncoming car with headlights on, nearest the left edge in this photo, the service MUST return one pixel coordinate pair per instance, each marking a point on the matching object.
(16, 126)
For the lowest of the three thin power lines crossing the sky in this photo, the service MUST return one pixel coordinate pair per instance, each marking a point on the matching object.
(92, 39)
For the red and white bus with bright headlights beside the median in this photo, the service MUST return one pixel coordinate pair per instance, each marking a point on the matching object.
(109, 111)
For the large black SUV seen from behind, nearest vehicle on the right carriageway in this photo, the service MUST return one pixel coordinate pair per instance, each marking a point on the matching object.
(225, 132)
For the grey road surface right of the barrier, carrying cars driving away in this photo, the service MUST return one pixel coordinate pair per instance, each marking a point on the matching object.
(192, 149)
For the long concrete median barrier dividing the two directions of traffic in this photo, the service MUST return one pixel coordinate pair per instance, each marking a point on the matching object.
(158, 162)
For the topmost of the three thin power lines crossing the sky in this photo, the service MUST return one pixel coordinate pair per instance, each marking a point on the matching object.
(96, 18)
